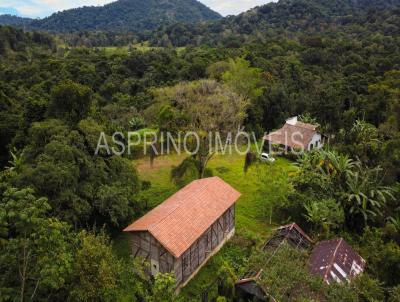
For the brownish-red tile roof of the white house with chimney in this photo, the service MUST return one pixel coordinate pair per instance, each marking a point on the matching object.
(294, 136)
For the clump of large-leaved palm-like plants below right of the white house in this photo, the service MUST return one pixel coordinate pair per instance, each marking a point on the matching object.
(358, 187)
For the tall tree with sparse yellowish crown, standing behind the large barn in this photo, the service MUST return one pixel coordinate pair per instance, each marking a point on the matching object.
(208, 108)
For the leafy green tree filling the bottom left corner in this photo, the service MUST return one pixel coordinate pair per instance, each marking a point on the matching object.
(36, 256)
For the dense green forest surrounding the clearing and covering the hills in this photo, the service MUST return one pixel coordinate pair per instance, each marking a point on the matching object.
(335, 63)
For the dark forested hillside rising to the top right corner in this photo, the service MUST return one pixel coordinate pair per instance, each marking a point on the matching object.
(286, 17)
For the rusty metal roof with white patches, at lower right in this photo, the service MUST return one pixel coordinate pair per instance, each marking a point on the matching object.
(335, 260)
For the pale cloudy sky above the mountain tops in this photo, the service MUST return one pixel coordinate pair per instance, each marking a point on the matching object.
(42, 8)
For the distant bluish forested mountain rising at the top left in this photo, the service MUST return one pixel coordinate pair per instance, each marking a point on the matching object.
(122, 15)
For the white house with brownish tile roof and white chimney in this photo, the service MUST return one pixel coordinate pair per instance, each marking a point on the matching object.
(295, 135)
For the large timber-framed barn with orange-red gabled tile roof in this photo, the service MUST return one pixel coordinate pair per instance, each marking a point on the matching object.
(182, 233)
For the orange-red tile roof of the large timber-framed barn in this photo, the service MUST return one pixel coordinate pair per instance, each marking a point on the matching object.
(180, 220)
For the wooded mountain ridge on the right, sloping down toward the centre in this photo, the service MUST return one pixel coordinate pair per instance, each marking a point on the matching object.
(287, 15)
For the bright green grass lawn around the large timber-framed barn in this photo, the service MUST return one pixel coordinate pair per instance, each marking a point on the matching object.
(259, 187)
